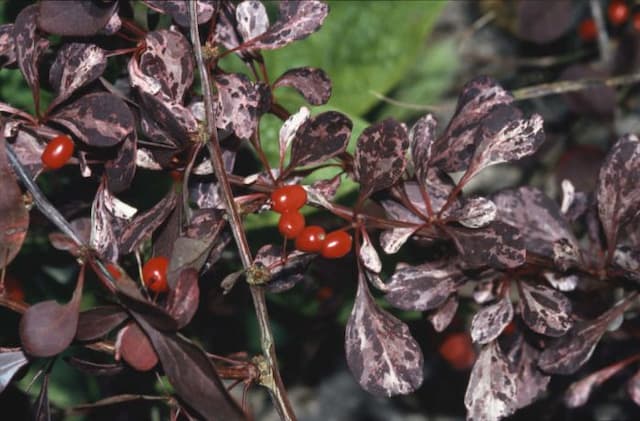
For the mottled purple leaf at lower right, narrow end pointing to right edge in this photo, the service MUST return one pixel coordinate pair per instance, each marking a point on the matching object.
(569, 352)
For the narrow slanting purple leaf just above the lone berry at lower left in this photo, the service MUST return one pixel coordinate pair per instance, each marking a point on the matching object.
(143, 225)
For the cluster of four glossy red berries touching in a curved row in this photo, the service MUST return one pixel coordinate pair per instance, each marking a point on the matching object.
(287, 201)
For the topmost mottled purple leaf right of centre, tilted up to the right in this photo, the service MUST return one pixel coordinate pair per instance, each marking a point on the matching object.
(453, 150)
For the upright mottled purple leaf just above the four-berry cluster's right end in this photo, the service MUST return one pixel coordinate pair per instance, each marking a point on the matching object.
(380, 156)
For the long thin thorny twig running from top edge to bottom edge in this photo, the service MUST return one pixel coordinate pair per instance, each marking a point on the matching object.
(274, 383)
